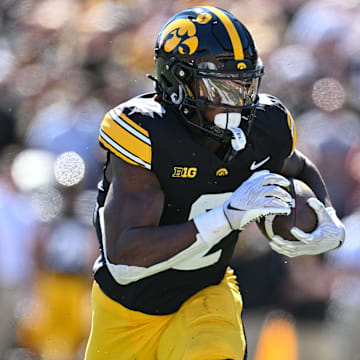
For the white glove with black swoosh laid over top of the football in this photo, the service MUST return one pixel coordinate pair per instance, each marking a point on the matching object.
(258, 196)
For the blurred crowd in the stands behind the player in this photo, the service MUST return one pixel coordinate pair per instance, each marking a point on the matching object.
(64, 63)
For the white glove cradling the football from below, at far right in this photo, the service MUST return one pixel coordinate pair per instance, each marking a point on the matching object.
(328, 235)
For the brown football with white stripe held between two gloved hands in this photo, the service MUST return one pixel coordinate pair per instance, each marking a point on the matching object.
(301, 216)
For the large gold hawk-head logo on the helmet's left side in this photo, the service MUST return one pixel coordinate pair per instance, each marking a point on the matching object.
(183, 37)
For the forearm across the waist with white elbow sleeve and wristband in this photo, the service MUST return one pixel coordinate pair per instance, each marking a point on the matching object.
(142, 251)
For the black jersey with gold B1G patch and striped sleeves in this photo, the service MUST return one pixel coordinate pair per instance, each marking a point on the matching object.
(194, 180)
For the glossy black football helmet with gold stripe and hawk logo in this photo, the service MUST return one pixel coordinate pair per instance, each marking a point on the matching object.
(205, 57)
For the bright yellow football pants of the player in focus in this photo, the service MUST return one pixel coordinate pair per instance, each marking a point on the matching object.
(208, 326)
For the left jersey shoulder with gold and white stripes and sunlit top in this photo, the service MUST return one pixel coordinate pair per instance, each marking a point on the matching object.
(124, 132)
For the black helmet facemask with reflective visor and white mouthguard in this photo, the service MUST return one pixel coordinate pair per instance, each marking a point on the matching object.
(203, 88)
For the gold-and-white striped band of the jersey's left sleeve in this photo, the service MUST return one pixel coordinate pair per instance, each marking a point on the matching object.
(125, 138)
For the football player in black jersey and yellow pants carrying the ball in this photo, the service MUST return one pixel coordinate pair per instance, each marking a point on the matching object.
(188, 167)
